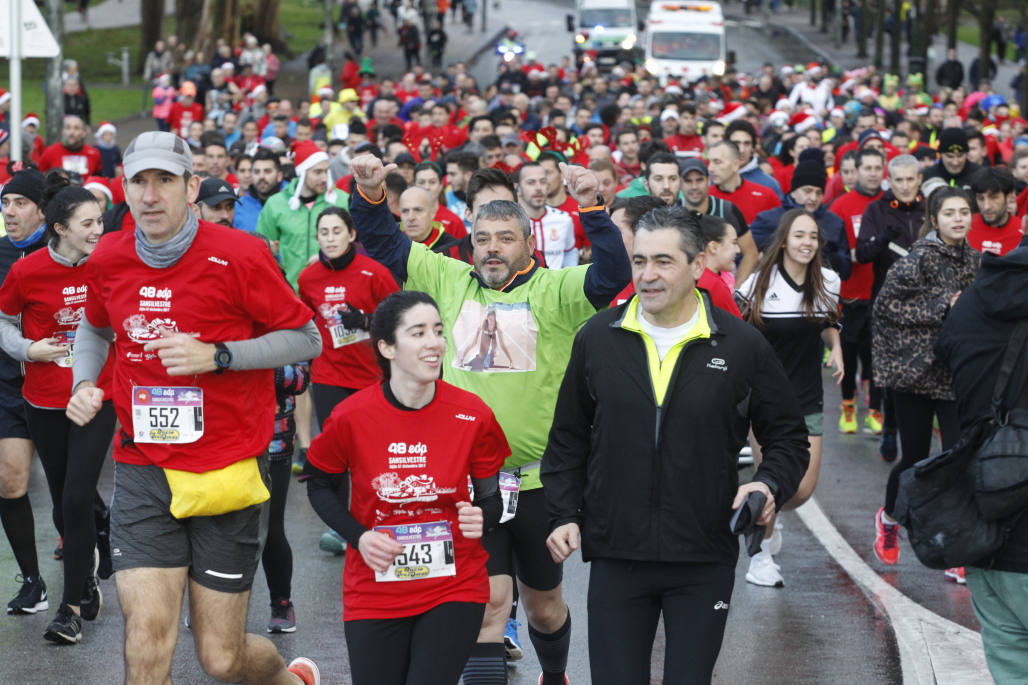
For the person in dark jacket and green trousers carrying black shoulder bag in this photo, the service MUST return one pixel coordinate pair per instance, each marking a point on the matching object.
(973, 342)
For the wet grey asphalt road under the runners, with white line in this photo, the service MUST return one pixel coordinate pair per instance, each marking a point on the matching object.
(835, 622)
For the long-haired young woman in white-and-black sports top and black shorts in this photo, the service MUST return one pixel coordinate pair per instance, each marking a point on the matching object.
(794, 301)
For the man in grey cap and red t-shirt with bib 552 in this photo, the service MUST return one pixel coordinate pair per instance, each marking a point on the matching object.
(191, 461)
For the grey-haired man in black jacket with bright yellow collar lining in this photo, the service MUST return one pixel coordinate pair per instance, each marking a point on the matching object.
(642, 458)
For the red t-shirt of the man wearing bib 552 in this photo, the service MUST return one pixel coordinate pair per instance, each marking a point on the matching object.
(227, 287)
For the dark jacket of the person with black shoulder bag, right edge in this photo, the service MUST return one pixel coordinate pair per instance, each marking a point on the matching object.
(973, 342)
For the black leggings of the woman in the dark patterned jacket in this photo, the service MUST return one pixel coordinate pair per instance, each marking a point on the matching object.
(914, 418)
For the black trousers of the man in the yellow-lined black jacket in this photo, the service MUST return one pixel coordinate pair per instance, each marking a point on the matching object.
(627, 600)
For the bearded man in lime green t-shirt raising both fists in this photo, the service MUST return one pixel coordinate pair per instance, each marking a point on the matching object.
(544, 308)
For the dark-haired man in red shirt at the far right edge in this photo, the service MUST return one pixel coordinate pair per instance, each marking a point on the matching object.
(994, 229)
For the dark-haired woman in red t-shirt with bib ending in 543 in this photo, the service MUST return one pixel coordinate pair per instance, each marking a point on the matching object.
(415, 594)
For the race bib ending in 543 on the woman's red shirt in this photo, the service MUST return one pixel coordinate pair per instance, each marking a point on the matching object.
(428, 552)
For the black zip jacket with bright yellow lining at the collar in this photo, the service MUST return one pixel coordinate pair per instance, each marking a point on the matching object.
(651, 475)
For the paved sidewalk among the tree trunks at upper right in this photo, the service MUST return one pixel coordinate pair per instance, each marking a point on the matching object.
(798, 23)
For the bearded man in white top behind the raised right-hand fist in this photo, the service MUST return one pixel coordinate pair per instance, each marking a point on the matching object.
(553, 229)
